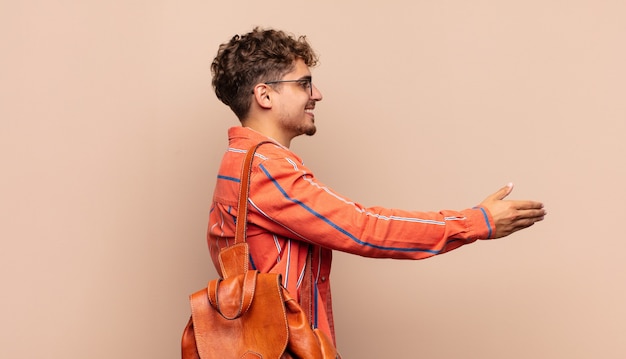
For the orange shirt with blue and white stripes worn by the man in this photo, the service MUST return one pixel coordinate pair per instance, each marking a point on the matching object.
(290, 211)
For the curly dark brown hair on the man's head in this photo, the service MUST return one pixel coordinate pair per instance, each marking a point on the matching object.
(258, 56)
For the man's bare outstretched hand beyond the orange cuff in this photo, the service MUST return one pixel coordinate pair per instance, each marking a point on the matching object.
(510, 216)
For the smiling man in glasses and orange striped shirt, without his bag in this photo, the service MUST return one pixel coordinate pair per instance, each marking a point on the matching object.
(264, 76)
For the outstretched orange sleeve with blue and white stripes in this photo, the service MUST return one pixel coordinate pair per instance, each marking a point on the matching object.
(286, 199)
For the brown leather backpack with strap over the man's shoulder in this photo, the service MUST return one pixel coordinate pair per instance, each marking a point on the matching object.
(247, 314)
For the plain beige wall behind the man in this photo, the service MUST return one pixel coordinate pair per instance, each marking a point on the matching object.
(111, 135)
